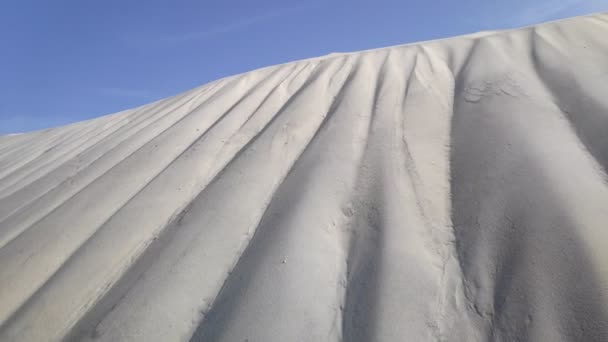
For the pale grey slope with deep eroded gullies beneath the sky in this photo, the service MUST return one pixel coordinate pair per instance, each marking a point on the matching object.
(453, 190)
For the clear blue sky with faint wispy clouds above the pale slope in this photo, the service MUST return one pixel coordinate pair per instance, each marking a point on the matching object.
(68, 60)
